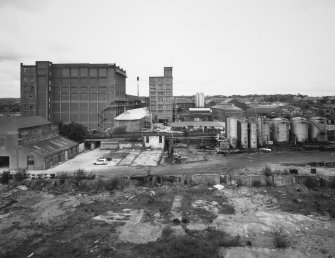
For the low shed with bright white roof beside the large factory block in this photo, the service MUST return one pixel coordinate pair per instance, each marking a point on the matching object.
(134, 120)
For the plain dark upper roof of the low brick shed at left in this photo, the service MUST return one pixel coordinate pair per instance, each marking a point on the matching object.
(12, 124)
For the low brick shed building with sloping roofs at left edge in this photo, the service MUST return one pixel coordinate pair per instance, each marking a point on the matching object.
(32, 143)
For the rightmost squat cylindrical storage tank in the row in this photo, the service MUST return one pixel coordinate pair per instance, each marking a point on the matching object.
(318, 129)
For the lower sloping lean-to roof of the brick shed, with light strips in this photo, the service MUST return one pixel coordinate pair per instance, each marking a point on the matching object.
(50, 146)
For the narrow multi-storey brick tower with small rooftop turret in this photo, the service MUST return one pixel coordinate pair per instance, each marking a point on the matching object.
(161, 96)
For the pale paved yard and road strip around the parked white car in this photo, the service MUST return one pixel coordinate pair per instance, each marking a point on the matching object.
(210, 162)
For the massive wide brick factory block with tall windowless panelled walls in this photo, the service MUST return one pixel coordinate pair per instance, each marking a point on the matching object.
(89, 94)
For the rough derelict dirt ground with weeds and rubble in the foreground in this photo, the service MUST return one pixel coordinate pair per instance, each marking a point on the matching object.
(167, 221)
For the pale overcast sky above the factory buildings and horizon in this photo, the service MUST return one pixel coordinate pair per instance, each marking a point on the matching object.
(215, 46)
